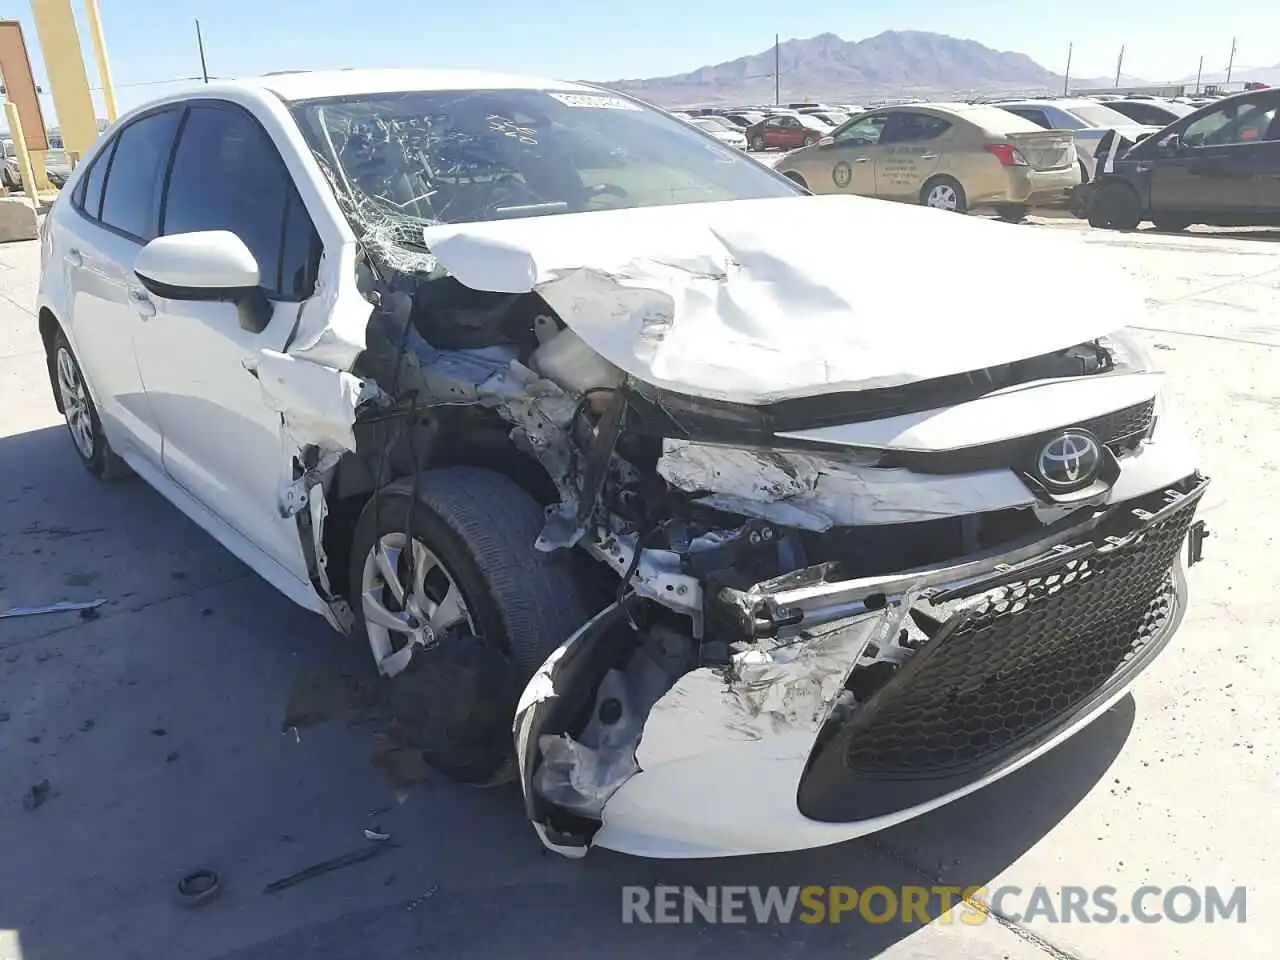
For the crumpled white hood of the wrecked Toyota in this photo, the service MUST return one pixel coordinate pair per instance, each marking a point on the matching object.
(762, 300)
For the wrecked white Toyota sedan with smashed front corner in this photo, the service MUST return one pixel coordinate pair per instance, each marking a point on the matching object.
(764, 520)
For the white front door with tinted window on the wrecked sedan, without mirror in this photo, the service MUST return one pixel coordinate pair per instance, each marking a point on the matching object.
(221, 441)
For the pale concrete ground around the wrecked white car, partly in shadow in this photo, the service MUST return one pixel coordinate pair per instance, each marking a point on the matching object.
(158, 725)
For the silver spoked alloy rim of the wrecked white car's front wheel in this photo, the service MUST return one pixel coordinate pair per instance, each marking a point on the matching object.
(409, 600)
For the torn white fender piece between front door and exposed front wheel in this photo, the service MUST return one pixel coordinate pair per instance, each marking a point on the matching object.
(318, 404)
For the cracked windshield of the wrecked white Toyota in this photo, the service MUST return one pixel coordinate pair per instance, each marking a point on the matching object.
(459, 157)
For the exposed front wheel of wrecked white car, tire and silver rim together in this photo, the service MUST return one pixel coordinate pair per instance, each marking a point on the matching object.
(460, 610)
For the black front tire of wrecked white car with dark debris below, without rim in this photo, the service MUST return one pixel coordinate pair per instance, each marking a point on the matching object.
(459, 696)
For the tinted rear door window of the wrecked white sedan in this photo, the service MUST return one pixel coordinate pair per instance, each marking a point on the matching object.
(135, 177)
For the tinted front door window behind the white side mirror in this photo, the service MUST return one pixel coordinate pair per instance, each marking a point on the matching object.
(228, 176)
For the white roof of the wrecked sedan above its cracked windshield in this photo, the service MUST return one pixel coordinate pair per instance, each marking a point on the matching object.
(317, 85)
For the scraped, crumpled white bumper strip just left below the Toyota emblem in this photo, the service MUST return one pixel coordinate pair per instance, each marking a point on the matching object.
(816, 492)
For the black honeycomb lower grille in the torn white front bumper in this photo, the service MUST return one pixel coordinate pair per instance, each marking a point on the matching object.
(996, 678)
